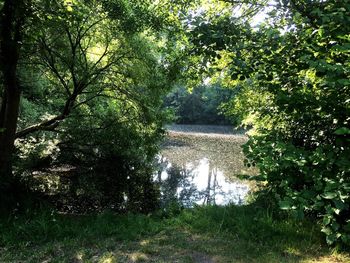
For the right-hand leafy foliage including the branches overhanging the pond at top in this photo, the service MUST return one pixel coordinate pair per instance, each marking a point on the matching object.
(293, 77)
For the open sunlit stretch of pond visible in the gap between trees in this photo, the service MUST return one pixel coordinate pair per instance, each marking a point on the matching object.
(199, 165)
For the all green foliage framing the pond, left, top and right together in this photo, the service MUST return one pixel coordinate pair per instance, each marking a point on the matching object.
(90, 76)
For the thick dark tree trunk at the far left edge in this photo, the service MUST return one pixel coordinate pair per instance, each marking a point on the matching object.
(10, 36)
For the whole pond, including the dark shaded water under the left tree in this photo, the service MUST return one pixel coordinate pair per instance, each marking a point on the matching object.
(196, 165)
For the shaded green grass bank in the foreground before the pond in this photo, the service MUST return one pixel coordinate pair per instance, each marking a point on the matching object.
(203, 234)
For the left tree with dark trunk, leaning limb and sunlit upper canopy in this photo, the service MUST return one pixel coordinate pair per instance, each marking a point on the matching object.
(79, 52)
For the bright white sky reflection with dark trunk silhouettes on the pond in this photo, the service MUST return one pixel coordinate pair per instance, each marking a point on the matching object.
(197, 182)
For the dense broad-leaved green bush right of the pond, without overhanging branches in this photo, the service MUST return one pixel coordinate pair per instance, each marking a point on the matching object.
(301, 145)
